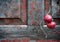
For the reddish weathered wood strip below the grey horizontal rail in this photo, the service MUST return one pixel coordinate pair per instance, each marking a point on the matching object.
(21, 40)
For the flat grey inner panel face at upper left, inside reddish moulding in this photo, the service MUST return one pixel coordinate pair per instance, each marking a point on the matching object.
(9, 8)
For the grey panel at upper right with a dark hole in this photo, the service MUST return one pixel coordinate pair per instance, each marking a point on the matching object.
(55, 4)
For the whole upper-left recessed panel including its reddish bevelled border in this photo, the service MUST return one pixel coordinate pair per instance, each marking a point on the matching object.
(13, 12)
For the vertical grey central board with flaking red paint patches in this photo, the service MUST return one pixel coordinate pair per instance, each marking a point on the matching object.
(35, 11)
